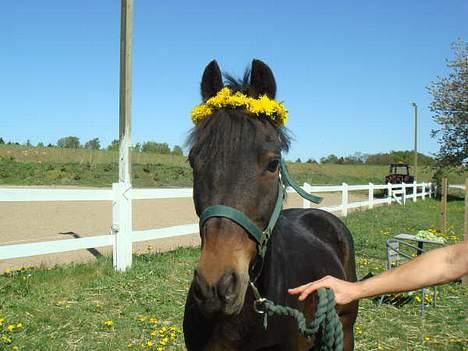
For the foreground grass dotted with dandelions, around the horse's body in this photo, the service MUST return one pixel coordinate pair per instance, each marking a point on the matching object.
(91, 307)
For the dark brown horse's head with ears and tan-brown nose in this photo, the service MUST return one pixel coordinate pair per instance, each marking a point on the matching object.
(235, 159)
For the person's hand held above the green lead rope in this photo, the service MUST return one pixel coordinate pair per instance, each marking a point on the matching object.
(345, 291)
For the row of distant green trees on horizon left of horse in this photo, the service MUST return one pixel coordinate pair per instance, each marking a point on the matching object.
(73, 142)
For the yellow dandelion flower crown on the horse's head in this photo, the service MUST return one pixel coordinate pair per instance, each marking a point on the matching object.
(263, 106)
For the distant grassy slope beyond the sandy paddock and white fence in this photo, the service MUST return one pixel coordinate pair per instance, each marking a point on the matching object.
(21, 165)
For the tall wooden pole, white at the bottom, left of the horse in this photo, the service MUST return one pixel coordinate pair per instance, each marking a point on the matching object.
(123, 204)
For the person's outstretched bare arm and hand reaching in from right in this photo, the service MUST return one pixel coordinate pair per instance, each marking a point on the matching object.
(431, 268)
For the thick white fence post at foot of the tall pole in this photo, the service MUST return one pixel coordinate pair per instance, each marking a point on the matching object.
(122, 226)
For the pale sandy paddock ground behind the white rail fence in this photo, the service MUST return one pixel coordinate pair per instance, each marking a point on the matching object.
(23, 222)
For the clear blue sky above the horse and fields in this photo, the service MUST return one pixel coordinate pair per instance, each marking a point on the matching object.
(346, 70)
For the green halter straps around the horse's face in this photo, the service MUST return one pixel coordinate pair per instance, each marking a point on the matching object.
(260, 236)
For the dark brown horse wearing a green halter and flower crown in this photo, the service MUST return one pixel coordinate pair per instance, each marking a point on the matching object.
(236, 160)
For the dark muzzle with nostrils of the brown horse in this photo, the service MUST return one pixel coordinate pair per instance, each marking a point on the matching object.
(223, 297)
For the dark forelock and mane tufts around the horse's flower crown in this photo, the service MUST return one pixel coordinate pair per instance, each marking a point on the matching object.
(231, 130)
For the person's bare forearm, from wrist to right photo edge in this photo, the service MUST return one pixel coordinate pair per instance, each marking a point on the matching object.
(432, 268)
